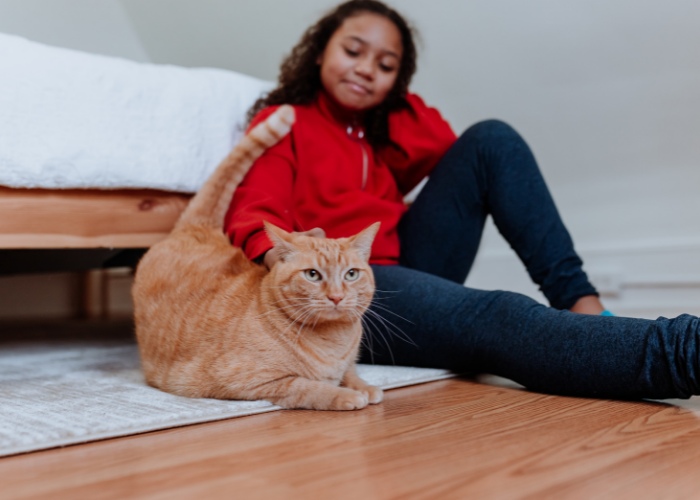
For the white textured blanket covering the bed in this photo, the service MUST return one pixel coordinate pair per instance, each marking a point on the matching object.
(70, 119)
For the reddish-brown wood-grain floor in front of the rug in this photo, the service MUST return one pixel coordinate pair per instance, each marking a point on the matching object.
(448, 439)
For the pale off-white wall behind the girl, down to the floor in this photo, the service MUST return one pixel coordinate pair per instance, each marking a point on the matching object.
(605, 92)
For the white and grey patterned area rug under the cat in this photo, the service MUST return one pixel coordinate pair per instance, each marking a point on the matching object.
(58, 392)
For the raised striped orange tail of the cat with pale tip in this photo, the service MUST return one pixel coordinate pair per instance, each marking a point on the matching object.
(208, 207)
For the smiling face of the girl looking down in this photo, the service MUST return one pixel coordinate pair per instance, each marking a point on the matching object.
(361, 61)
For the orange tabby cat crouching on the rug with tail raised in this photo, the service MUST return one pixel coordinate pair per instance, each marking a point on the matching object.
(210, 323)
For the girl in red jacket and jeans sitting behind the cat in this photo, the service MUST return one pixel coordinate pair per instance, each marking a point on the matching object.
(361, 141)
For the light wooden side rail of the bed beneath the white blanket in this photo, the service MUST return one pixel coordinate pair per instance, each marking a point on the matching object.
(76, 218)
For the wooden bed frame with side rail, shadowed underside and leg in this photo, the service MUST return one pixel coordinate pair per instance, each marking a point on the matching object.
(82, 228)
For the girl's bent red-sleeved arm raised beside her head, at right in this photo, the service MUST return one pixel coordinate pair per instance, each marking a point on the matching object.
(422, 136)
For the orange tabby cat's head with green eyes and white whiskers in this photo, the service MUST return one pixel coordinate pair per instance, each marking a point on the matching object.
(322, 279)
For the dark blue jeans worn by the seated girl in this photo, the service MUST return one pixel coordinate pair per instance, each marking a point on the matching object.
(422, 314)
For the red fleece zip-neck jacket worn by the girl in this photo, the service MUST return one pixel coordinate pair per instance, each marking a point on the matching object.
(325, 175)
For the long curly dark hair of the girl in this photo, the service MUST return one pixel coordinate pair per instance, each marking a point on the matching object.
(300, 79)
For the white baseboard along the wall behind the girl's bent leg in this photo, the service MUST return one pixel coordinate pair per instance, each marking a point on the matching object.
(642, 278)
